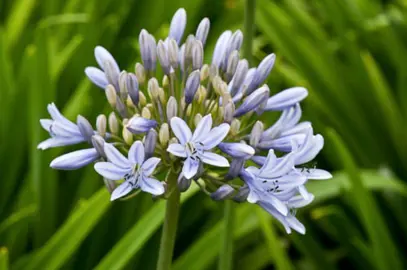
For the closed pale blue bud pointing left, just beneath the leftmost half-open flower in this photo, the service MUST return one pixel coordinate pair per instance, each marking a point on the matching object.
(75, 160)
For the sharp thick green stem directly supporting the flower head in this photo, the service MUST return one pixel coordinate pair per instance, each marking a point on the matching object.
(170, 225)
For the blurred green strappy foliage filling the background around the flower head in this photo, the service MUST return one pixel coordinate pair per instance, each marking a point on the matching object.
(350, 54)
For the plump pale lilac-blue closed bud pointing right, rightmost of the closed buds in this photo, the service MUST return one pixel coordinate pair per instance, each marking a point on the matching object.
(286, 99)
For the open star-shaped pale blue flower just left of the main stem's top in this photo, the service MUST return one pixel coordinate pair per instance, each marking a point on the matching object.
(134, 170)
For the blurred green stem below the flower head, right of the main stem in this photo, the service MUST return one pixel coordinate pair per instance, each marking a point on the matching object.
(226, 256)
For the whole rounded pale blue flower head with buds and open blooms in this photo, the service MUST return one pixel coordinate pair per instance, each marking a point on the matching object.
(175, 114)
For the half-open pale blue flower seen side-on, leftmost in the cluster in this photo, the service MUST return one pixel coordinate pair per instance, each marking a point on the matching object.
(63, 132)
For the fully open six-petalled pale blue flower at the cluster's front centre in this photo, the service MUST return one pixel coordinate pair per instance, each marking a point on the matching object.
(195, 147)
